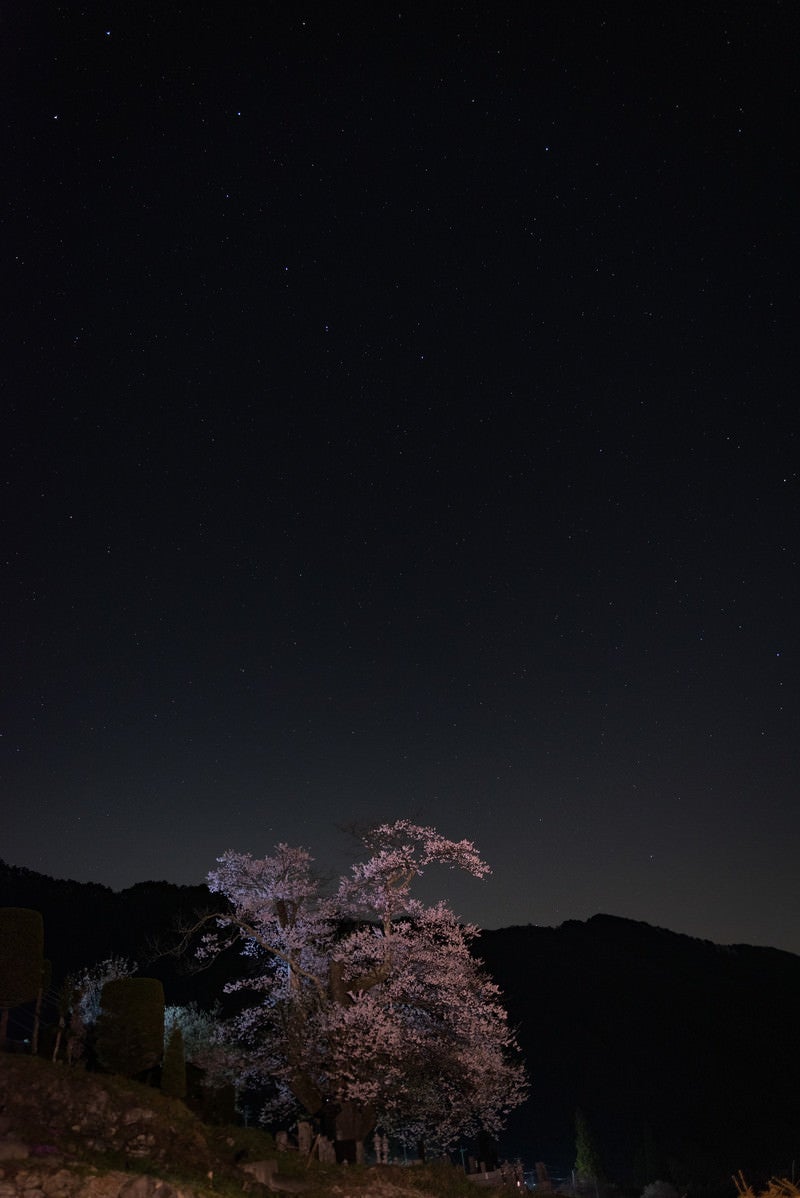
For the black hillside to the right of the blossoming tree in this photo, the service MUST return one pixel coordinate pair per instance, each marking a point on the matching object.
(680, 1051)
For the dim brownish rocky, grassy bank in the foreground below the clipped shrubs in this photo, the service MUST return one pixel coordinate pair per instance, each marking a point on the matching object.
(66, 1134)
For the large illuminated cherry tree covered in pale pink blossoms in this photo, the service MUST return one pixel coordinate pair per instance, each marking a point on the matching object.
(367, 997)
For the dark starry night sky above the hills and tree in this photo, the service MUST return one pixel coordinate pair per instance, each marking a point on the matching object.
(402, 420)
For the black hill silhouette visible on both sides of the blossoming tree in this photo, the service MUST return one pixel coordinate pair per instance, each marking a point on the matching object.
(681, 1054)
